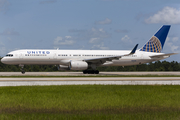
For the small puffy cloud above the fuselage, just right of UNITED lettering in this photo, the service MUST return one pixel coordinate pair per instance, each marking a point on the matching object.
(67, 40)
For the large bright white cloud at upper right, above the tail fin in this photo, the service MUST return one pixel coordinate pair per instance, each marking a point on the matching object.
(167, 15)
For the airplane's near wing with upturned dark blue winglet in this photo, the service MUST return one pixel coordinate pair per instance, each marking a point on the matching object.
(104, 59)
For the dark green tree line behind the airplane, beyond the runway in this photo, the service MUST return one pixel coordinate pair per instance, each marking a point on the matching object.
(154, 66)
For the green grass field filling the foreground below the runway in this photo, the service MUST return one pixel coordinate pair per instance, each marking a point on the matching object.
(90, 102)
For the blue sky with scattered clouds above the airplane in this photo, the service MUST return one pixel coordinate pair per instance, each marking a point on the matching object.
(87, 24)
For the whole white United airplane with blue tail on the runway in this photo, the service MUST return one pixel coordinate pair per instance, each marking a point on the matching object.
(89, 60)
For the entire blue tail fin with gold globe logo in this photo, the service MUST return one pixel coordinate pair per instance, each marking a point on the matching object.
(156, 43)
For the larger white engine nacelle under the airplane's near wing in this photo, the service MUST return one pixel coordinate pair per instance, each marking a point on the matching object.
(78, 65)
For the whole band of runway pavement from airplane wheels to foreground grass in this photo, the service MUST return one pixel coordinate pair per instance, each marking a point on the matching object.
(15, 81)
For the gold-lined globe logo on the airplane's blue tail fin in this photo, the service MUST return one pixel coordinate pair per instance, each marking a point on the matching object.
(153, 45)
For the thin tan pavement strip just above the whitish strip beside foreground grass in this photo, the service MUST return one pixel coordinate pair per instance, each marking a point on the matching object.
(93, 79)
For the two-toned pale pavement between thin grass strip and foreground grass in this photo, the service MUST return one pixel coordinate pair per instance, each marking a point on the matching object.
(90, 81)
